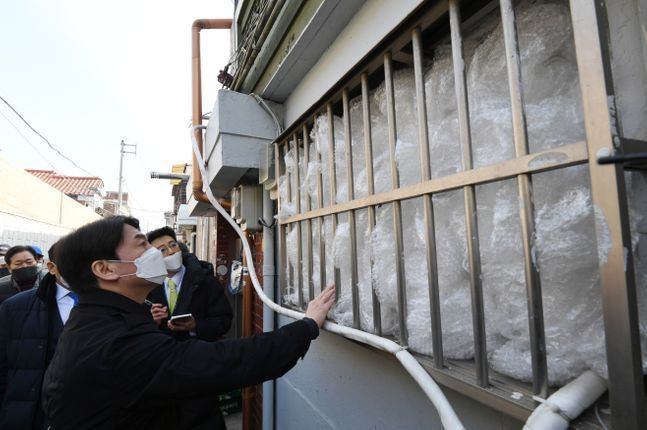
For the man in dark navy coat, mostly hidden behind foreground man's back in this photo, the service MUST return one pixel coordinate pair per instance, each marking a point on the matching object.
(30, 325)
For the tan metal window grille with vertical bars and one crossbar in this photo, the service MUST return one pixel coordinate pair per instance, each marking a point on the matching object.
(607, 188)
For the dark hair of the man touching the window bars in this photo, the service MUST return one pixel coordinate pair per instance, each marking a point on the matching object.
(95, 241)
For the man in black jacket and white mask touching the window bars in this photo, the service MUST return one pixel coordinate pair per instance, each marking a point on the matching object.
(115, 369)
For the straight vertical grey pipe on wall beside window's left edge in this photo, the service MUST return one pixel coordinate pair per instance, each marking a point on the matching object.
(268, 316)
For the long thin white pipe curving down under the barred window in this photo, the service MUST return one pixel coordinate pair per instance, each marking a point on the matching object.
(447, 415)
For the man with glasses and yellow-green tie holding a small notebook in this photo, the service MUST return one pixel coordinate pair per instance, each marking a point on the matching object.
(190, 288)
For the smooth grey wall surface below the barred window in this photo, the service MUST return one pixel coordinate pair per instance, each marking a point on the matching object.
(341, 384)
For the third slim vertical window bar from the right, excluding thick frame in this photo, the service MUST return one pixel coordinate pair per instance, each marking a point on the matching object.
(428, 209)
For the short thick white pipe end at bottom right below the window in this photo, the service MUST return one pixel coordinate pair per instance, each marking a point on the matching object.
(567, 403)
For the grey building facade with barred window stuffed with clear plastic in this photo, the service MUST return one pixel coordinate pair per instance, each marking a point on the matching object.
(441, 162)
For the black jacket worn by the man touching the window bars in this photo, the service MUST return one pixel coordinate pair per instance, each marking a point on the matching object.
(114, 369)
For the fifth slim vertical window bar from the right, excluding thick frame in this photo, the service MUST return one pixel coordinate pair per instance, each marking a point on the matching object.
(368, 160)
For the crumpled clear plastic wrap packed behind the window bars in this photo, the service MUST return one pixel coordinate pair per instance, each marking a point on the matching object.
(565, 247)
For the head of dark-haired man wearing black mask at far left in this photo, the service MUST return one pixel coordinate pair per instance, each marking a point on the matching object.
(23, 271)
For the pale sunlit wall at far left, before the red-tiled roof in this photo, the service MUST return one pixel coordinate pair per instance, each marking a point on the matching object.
(32, 212)
